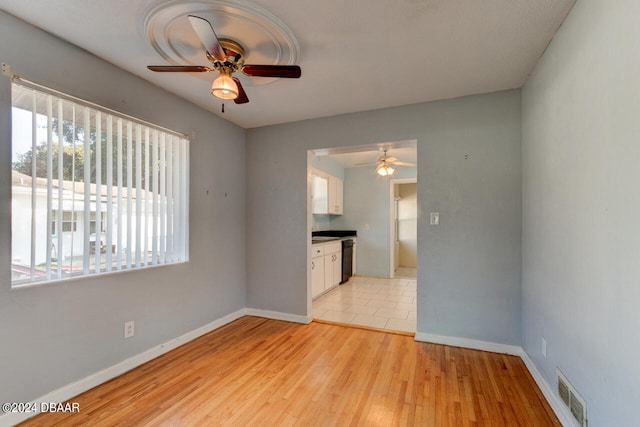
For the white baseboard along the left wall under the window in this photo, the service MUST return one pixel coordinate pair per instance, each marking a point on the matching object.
(67, 392)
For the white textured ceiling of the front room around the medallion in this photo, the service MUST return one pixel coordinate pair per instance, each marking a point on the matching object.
(355, 55)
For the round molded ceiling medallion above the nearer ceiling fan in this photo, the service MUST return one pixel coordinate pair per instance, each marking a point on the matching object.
(264, 38)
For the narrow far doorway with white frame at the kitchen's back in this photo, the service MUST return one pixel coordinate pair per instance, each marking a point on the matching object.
(403, 228)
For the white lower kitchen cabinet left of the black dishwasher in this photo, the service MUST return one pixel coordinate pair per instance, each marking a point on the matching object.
(326, 267)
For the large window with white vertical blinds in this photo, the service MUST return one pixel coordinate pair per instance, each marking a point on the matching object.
(93, 191)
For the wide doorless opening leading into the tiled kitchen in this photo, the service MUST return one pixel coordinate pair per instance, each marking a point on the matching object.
(372, 297)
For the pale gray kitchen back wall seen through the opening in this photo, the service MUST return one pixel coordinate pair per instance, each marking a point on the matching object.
(366, 202)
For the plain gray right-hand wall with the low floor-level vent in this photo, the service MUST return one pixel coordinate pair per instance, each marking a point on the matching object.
(581, 245)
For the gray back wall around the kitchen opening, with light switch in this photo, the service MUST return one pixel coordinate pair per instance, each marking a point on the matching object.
(469, 267)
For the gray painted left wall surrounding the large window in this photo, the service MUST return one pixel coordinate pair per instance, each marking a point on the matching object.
(55, 334)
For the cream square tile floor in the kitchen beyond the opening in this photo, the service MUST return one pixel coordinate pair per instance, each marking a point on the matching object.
(371, 301)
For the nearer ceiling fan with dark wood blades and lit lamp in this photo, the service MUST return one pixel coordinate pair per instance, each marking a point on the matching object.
(227, 57)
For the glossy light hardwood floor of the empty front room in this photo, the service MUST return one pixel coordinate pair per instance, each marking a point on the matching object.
(259, 372)
